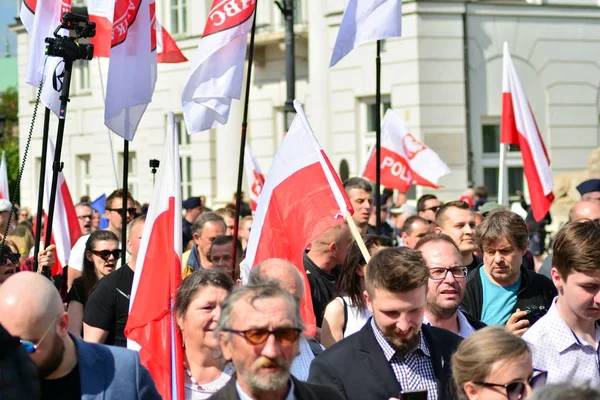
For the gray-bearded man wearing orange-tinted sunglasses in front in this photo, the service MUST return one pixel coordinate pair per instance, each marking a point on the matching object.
(258, 331)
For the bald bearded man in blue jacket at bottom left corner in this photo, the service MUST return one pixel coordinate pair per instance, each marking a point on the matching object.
(31, 309)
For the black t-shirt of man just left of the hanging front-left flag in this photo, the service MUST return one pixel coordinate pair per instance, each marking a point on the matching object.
(108, 305)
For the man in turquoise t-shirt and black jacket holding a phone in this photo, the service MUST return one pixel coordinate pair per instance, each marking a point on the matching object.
(502, 290)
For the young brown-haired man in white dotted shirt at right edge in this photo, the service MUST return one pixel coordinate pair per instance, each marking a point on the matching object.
(565, 340)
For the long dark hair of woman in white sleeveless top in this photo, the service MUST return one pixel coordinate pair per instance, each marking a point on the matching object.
(348, 280)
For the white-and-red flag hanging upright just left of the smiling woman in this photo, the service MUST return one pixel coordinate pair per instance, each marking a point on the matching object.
(151, 323)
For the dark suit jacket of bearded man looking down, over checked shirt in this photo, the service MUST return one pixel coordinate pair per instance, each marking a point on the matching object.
(357, 367)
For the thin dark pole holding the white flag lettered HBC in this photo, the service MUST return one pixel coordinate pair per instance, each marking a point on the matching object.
(238, 193)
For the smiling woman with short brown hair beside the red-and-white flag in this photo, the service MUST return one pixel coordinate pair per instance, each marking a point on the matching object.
(198, 308)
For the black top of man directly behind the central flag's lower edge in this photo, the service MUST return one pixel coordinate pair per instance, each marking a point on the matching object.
(322, 287)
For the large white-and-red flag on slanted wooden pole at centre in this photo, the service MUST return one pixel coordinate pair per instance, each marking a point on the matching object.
(302, 198)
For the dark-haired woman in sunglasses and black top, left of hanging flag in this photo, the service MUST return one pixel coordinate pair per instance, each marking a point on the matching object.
(100, 259)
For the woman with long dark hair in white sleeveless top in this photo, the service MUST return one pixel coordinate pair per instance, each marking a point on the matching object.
(348, 312)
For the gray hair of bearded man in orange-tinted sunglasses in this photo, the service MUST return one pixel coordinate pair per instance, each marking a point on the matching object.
(252, 293)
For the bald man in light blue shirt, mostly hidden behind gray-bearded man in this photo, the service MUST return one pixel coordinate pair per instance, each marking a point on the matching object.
(288, 277)
